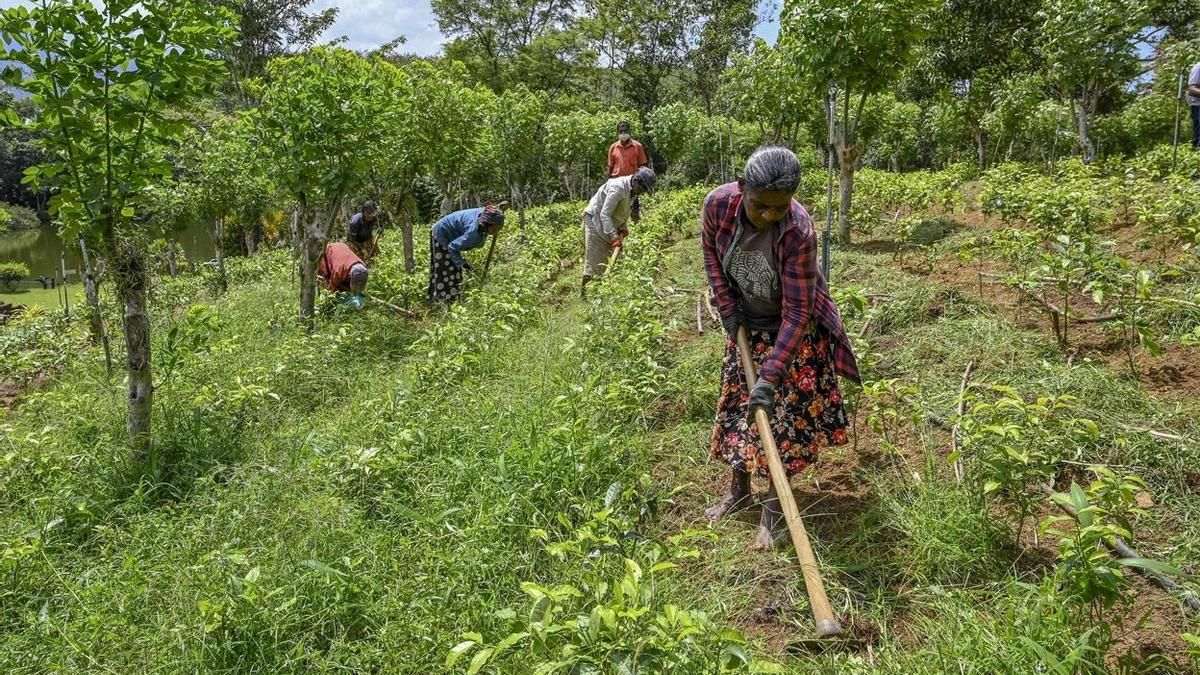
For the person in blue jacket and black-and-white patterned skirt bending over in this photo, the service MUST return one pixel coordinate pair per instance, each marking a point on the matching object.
(455, 234)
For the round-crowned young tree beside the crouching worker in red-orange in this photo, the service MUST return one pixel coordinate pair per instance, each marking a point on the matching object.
(320, 123)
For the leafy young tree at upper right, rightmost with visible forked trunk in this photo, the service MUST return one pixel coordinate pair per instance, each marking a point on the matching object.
(1089, 50)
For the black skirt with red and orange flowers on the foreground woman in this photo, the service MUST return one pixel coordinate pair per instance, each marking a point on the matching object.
(809, 413)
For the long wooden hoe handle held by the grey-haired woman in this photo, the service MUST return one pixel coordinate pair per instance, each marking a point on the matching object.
(823, 614)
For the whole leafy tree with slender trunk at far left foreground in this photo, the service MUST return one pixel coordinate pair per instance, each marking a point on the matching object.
(111, 79)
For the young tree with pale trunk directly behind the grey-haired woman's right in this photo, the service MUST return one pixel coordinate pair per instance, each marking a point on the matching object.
(859, 47)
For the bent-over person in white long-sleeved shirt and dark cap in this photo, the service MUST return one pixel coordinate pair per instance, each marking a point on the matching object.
(607, 220)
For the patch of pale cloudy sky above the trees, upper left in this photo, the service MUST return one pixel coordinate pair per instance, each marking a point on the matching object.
(370, 23)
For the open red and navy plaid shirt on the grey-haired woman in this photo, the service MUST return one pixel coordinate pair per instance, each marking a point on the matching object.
(806, 294)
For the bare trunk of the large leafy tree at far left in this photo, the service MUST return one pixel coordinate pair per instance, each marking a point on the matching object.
(133, 283)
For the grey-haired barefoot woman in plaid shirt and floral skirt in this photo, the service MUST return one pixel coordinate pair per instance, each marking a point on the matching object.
(761, 256)
